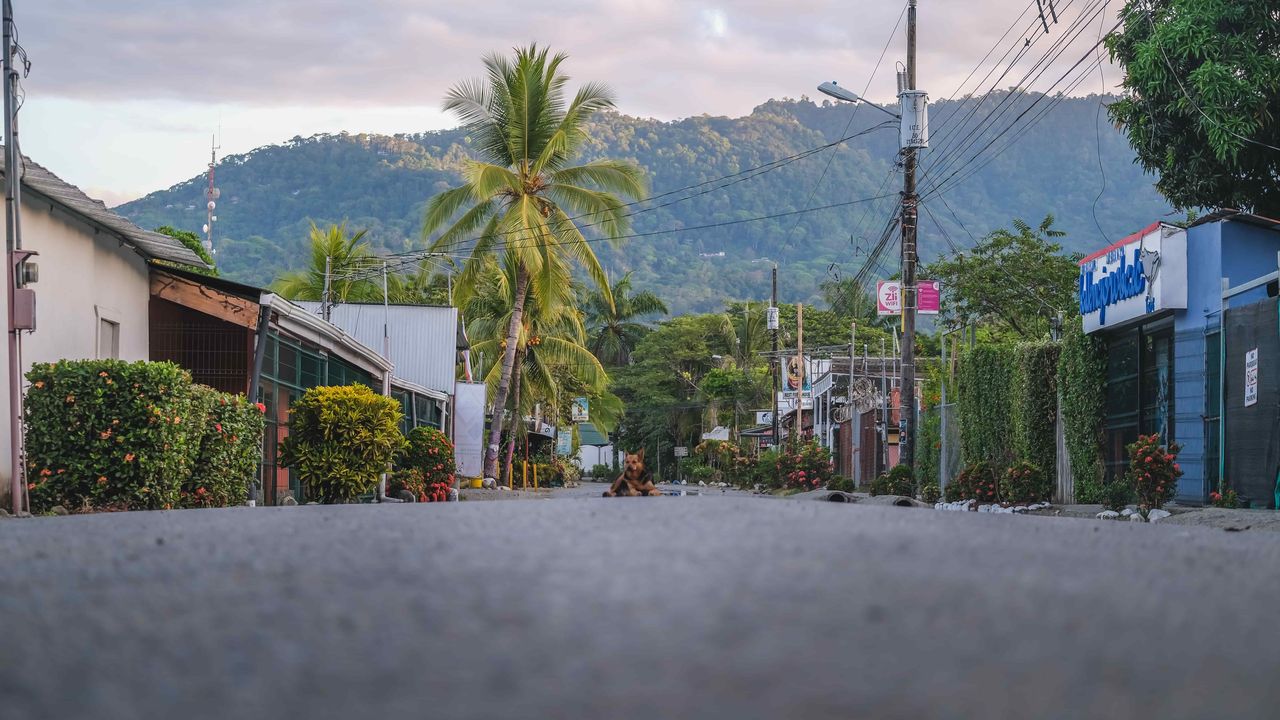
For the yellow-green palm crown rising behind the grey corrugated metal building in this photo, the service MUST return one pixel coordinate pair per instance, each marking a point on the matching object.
(349, 261)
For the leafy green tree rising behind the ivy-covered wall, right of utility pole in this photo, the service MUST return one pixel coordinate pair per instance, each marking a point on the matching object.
(1014, 280)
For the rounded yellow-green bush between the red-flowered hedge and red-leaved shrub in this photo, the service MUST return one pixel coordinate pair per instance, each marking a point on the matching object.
(341, 440)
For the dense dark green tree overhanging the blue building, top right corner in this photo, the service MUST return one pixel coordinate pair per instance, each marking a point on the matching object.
(1203, 97)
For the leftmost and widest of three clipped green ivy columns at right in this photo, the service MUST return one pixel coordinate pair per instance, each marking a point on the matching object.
(986, 403)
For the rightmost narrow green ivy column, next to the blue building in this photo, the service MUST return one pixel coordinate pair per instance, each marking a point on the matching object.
(1082, 372)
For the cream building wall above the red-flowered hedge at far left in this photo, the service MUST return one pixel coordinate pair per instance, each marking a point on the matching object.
(85, 277)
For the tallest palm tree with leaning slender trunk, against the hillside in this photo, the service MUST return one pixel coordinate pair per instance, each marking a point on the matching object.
(518, 198)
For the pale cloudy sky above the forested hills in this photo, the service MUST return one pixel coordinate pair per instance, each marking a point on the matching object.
(125, 97)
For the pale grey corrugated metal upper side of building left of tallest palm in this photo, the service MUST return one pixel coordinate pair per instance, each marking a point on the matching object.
(424, 339)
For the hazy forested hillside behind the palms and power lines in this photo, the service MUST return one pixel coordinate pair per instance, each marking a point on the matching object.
(381, 184)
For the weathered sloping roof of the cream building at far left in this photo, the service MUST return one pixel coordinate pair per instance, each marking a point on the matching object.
(152, 245)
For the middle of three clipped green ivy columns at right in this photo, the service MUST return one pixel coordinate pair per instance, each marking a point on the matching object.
(1035, 405)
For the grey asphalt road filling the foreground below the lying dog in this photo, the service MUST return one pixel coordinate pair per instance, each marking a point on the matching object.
(633, 608)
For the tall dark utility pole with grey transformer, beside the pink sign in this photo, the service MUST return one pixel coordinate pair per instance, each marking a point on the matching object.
(907, 443)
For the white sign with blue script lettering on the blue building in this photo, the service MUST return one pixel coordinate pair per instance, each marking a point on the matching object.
(1140, 276)
